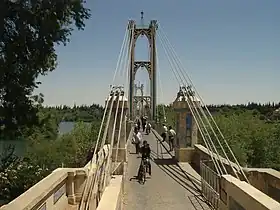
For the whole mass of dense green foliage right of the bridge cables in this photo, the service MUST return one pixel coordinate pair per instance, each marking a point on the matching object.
(254, 141)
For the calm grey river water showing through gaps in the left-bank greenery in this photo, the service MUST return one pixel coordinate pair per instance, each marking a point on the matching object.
(64, 127)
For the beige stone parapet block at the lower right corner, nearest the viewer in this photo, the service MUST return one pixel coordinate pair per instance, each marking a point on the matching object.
(236, 194)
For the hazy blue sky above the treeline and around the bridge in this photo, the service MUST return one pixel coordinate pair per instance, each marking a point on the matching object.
(230, 49)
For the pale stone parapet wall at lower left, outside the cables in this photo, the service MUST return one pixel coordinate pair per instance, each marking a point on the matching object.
(62, 189)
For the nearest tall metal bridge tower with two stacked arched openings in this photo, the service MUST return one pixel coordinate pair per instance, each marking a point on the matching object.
(150, 32)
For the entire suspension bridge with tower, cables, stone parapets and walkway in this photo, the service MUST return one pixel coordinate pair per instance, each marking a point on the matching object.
(201, 172)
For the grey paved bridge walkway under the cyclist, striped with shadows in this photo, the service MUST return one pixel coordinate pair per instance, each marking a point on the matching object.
(169, 187)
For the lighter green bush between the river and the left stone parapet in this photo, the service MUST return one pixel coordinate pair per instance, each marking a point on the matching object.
(69, 149)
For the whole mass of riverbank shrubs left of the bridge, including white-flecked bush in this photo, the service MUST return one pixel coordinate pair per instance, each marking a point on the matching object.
(46, 150)
